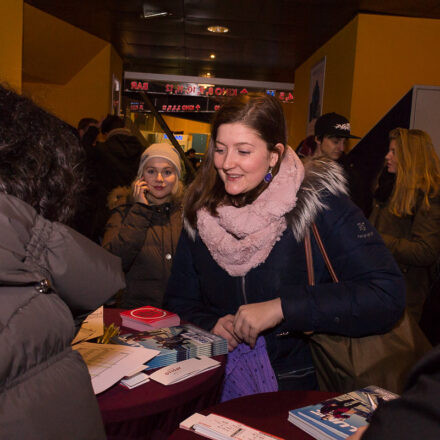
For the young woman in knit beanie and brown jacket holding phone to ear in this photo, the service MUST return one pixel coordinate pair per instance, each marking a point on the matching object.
(145, 225)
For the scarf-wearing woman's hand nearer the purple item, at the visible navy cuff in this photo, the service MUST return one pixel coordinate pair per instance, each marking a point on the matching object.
(251, 319)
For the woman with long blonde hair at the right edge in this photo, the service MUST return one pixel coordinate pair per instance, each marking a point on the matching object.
(407, 214)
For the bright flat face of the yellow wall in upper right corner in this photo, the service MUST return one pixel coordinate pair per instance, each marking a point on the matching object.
(392, 55)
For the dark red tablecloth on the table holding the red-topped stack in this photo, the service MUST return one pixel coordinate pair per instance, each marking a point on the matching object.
(153, 411)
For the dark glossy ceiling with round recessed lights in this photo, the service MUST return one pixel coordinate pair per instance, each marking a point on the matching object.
(267, 39)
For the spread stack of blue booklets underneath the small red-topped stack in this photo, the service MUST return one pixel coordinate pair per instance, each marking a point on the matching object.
(176, 343)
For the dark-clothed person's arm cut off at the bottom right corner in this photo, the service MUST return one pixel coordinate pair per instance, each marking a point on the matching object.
(416, 414)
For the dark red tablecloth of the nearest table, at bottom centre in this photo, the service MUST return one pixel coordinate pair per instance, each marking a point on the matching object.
(266, 411)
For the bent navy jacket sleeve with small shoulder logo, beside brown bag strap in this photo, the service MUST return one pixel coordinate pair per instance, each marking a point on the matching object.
(370, 295)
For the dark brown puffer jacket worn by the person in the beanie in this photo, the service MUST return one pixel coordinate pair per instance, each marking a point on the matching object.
(145, 237)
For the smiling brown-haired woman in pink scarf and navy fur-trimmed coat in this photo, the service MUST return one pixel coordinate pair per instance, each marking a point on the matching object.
(240, 268)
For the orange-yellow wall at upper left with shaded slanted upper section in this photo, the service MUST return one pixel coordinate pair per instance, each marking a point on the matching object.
(66, 70)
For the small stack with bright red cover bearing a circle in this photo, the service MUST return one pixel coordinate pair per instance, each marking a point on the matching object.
(148, 318)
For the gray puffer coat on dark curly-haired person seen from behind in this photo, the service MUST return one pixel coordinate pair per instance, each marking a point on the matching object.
(49, 276)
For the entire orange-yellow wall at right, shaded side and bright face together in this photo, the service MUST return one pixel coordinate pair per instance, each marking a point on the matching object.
(371, 63)
